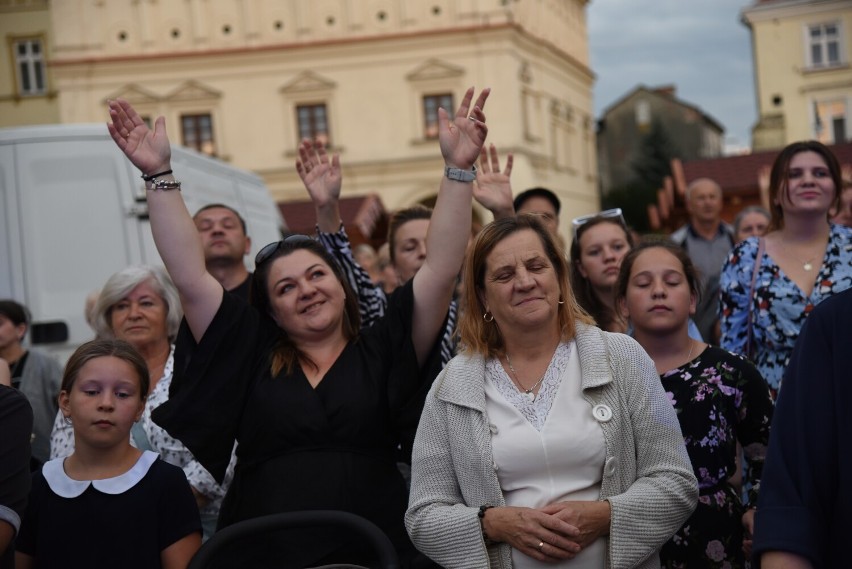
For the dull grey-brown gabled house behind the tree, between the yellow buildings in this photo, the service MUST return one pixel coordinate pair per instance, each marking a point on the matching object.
(690, 133)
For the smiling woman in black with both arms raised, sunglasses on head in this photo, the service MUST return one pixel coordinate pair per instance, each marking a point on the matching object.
(312, 402)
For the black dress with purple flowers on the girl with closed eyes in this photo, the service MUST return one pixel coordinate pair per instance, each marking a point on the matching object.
(720, 399)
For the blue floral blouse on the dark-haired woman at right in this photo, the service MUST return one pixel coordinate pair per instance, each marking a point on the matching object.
(779, 307)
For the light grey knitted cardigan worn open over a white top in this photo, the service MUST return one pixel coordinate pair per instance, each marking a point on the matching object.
(647, 476)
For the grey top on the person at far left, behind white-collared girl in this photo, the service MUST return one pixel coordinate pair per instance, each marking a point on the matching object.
(40, 383)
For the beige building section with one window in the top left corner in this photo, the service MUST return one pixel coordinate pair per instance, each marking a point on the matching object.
(27, 91)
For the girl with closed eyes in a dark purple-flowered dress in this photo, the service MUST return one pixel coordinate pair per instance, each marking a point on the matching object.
(720, 399)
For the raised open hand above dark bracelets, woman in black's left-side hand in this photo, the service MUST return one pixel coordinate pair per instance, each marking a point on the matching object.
(147, 149)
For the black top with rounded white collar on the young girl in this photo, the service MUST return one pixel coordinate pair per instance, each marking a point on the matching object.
(99, 528)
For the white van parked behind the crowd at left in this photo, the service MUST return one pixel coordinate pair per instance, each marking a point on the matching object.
(73, 211)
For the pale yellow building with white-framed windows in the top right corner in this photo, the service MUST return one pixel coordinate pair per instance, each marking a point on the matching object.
(802, 57)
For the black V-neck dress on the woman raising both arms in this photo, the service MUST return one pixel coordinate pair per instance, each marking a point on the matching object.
(302, 448)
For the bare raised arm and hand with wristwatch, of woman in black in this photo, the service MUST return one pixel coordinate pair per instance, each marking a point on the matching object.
(461, 137)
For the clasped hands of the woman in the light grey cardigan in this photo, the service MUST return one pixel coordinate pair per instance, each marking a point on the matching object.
(536, 534)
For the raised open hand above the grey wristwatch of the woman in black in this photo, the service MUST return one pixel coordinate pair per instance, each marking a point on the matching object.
(462, 137)
